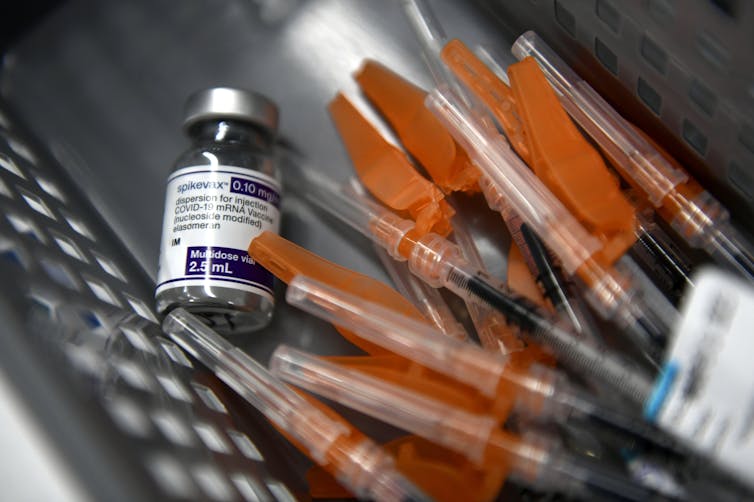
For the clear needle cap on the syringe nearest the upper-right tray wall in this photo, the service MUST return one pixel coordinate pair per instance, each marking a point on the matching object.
(638, 159)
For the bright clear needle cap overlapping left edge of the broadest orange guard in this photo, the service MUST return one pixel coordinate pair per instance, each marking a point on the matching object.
(525, 192)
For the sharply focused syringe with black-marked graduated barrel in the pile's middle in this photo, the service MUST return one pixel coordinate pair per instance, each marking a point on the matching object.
(439, 262)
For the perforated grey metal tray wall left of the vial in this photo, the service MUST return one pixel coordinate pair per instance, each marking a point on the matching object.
(85, 303)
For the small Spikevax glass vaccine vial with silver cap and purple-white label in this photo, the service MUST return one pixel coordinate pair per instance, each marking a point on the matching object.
(223, 191)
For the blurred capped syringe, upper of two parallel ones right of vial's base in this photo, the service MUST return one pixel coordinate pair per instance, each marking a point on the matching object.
(537, 391)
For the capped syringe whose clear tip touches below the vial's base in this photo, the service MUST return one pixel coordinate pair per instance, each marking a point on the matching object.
(355, 460)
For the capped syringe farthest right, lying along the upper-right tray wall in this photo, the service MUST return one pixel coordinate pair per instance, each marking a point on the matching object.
(690, 210)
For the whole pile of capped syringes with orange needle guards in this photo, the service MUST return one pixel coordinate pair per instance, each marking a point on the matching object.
(606, 227)
